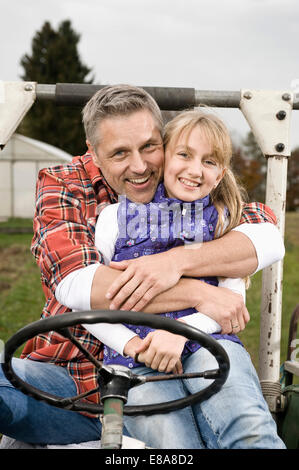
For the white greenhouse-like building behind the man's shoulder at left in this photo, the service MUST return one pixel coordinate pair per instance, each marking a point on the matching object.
(20, 161)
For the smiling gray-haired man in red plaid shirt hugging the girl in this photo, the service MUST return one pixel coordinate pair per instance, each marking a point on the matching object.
(123, 128)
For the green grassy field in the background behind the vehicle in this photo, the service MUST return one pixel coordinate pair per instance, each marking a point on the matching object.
(21, 296)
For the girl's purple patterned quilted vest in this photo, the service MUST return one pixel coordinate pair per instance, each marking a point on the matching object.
(158, 226)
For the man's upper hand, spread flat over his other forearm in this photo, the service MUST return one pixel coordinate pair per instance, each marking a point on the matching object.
(142, 280)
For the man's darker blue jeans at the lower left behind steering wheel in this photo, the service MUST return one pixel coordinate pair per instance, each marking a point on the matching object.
(26, 419)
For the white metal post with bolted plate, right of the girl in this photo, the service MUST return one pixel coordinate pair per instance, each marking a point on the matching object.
(268, 114)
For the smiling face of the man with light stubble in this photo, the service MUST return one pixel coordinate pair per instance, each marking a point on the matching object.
(130, 155)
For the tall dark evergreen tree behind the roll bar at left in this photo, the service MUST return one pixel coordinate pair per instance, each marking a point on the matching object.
(55, 59)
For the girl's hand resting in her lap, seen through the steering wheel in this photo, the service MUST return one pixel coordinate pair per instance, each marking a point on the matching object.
(162, 351)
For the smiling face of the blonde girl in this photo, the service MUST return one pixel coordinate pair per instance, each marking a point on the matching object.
(191, 171)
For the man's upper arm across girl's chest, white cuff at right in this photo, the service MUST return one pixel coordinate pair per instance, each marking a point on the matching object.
(239, 253)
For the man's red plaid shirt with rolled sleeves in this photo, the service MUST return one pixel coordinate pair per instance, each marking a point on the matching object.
(68, 199)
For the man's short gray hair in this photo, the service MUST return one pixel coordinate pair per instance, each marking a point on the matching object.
(116, 100)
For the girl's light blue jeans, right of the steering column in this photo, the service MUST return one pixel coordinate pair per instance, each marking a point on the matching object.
(237, 417)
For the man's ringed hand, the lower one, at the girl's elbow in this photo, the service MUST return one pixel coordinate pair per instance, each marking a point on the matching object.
(225, 307)
